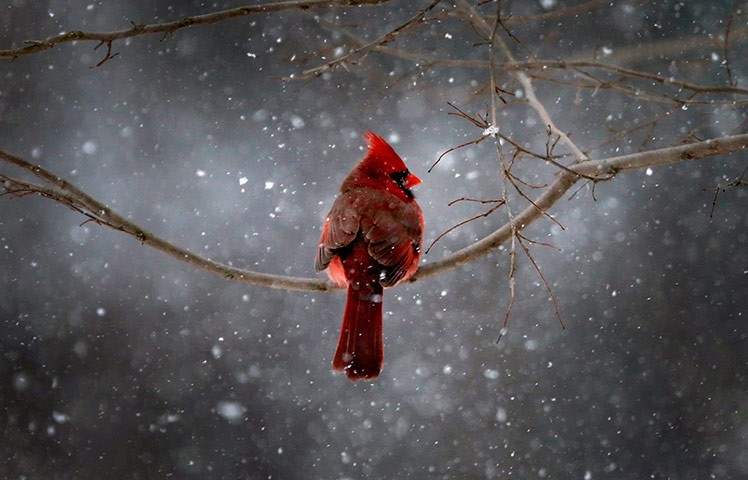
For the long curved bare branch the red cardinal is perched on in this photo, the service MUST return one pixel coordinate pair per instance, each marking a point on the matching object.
(64, 192)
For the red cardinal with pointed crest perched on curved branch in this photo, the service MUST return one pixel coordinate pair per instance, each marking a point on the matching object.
(371, 239)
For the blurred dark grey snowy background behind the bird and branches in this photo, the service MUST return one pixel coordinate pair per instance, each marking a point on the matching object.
(116, 358)
